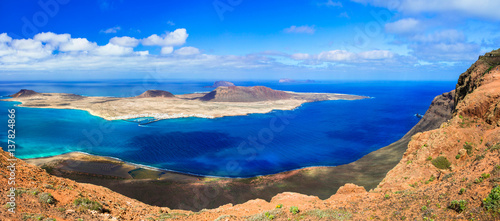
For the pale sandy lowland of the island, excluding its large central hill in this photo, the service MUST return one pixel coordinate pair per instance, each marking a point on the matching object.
(180, 106)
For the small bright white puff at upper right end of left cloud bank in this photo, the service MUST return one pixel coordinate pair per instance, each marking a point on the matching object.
(175, 38)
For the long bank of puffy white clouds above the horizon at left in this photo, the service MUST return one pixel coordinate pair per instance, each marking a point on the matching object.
(80, 54)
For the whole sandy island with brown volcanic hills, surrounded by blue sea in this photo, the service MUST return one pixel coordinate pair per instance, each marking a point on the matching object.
(222, 101)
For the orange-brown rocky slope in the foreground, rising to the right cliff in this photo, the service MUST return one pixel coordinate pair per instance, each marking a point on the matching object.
(448, 173)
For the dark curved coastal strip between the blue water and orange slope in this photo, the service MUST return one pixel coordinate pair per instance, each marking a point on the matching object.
(142, 183)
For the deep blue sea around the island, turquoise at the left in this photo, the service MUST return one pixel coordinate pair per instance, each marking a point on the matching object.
(327, 133)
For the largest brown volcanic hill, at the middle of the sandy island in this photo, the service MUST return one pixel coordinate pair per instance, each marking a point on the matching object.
(245, 94)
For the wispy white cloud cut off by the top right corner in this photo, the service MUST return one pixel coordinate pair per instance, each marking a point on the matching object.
(459, 8)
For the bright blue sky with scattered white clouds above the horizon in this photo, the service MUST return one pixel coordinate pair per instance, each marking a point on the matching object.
(244, 40)
